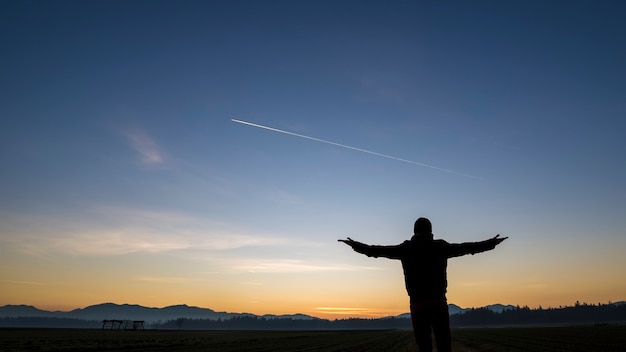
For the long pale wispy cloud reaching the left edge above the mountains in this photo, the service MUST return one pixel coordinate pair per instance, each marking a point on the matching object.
(109, 230)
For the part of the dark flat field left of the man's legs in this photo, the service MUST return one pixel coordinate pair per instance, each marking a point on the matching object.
(215, 341)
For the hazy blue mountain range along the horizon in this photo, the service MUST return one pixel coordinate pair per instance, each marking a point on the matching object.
(150, 315)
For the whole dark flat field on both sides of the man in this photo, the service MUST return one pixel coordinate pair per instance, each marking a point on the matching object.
(576, 338)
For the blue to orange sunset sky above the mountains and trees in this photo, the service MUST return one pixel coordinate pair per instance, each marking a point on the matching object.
(124, 178)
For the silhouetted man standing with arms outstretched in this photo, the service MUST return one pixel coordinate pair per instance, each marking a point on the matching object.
(424, 261)
